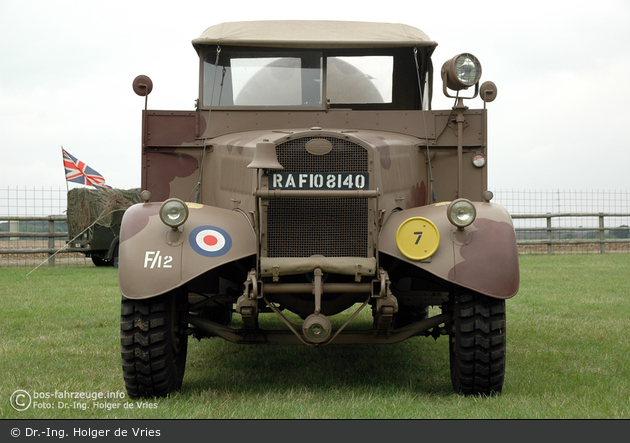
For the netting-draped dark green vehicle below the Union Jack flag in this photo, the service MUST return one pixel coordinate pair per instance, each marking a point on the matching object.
(94, 217)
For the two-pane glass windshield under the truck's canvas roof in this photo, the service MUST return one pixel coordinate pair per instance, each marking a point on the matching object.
(294, 79)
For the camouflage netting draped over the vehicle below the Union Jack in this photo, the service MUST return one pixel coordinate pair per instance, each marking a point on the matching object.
(104, 207)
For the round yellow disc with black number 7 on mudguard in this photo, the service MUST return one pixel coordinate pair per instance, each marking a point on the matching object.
(417, 238)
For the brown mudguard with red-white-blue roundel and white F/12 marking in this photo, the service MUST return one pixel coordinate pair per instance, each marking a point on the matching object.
(154, 259)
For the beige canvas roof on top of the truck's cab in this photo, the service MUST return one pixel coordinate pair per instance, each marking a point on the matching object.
(313, 34)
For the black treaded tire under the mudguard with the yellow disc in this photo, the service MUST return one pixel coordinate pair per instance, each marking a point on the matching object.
(477, 345)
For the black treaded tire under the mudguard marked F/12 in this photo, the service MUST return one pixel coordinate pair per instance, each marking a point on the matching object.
(154, 344)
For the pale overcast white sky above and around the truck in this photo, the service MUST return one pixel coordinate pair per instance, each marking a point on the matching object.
(562, 70)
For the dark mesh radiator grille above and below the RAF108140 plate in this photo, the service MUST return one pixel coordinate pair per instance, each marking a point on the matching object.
(332, 227)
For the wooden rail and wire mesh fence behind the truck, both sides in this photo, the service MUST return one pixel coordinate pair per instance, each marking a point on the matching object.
(546, 222)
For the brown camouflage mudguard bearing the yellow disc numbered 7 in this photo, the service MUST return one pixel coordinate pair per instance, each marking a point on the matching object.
(483, 257)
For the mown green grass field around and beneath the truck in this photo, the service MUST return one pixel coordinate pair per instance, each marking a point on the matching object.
(567, 356)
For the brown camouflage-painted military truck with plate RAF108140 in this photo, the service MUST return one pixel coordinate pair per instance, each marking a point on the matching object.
(315, 184)
